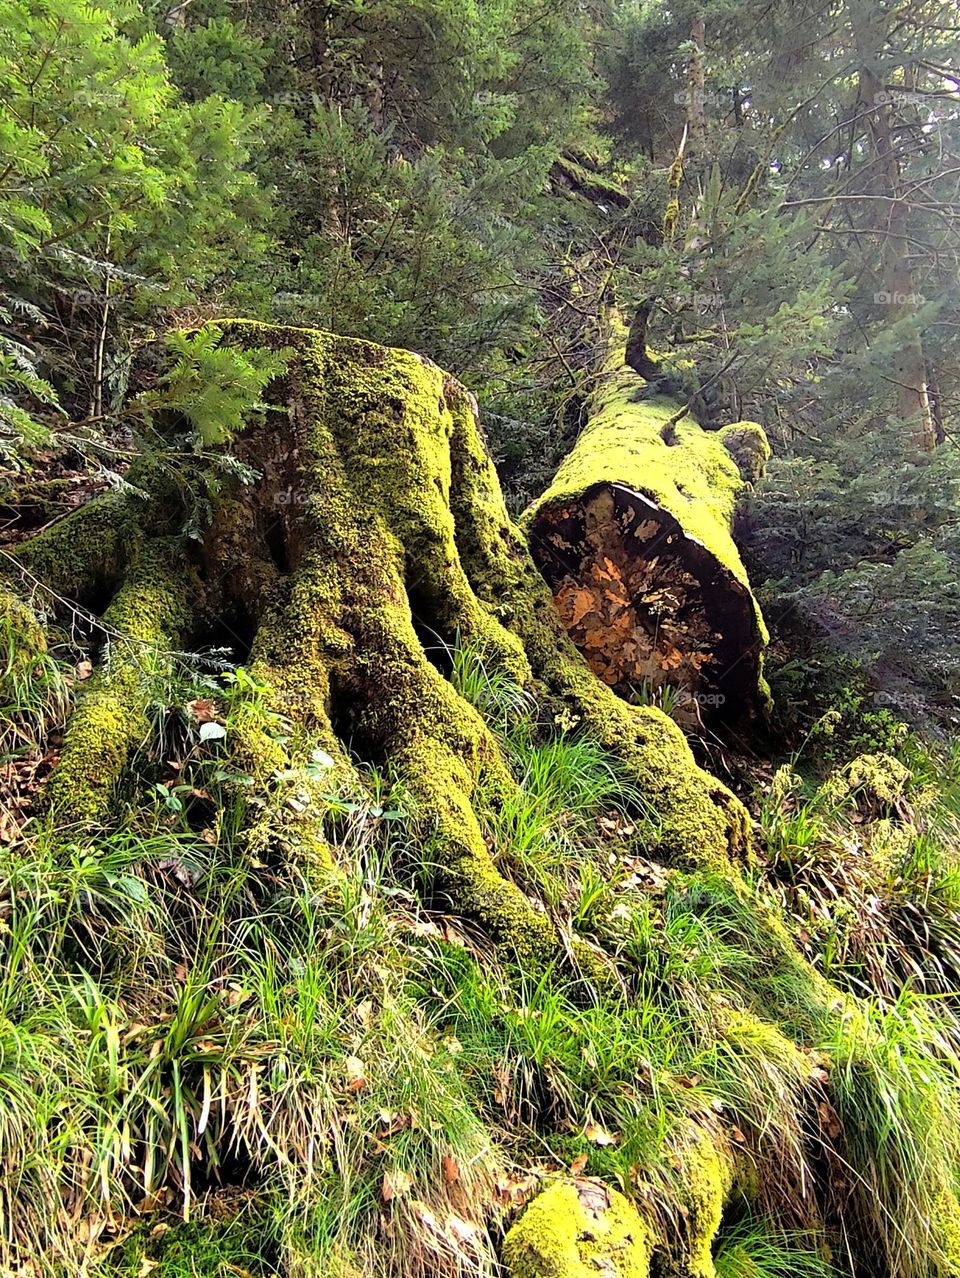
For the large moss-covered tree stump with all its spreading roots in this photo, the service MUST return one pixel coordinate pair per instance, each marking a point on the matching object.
(378, 526)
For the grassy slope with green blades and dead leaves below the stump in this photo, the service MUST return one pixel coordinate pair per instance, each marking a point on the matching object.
(214, 1064)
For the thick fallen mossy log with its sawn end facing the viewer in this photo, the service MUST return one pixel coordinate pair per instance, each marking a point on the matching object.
(635, 539)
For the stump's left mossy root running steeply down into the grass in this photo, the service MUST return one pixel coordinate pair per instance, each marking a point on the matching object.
(148, 618)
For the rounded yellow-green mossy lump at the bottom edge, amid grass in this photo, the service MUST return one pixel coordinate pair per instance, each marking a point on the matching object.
(578, 1228)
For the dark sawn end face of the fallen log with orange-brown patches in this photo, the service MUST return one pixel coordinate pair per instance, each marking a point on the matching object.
(659, 619)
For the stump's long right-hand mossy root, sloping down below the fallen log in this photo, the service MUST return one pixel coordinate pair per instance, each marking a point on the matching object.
(700, 820)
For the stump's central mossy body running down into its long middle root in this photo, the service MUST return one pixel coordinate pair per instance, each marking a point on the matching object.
(374, 589)
